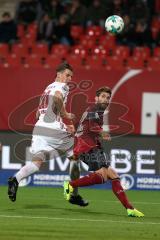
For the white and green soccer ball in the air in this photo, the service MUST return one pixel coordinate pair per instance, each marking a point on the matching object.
(114, 24)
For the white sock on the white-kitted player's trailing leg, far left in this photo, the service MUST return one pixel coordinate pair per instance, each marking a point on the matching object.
(26, 170)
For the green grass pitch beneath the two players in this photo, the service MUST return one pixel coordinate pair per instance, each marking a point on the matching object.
(42, 213)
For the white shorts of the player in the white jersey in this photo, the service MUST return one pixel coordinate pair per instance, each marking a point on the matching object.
(50, 138)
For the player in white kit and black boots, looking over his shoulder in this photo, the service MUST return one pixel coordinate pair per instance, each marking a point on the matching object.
(50, 134)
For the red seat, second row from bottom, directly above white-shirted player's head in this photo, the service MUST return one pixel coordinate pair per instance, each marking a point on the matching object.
(60, 50)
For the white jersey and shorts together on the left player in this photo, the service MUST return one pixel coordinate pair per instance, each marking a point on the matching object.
(50, 133)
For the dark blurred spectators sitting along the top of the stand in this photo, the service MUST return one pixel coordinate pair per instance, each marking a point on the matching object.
(53, 20)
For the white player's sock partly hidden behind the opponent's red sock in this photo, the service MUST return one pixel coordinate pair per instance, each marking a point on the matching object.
(74, 171)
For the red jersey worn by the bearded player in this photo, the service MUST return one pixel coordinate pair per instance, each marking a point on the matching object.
(87, 135)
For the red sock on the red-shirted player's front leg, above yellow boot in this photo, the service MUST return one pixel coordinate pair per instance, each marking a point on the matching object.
(119, 192)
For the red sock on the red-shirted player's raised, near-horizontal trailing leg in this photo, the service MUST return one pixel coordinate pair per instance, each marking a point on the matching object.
(91, 179)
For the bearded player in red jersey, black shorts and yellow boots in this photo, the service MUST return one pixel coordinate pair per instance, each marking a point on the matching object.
(89, 150)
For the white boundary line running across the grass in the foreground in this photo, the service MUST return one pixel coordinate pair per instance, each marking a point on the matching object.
(78, 219)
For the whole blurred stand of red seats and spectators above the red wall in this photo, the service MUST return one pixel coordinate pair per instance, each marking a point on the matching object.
(41, 33)
